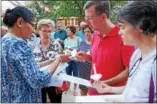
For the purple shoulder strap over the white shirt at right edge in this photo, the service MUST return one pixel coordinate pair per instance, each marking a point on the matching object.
(151, 88)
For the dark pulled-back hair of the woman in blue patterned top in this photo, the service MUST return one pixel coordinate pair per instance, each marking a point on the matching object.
(11, 15)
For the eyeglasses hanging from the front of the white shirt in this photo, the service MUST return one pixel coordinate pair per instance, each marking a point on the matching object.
(135, 67)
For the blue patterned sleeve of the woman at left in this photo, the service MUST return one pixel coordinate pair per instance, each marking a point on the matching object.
(26, 65)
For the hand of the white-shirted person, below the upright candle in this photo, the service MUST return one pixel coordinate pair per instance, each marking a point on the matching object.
(101, 87)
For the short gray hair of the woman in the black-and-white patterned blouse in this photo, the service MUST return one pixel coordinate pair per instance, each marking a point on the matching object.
(45, 22)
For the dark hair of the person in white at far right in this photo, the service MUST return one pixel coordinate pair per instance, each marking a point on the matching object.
(140, 13)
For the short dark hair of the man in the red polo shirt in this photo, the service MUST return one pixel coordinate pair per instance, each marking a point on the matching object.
(100, 7)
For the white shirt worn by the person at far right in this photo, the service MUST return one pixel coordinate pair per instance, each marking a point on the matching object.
(137, 88)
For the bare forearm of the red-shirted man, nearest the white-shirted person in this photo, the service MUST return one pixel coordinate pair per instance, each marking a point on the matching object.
(121, 77)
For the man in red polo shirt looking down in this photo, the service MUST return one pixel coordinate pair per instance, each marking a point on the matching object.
(109, 54)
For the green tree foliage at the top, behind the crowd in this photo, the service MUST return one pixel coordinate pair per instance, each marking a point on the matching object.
(68, 8)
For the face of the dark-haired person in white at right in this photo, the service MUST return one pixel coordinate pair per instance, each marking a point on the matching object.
(129, 34)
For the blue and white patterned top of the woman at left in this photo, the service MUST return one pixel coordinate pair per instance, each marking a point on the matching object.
(21, 79)
